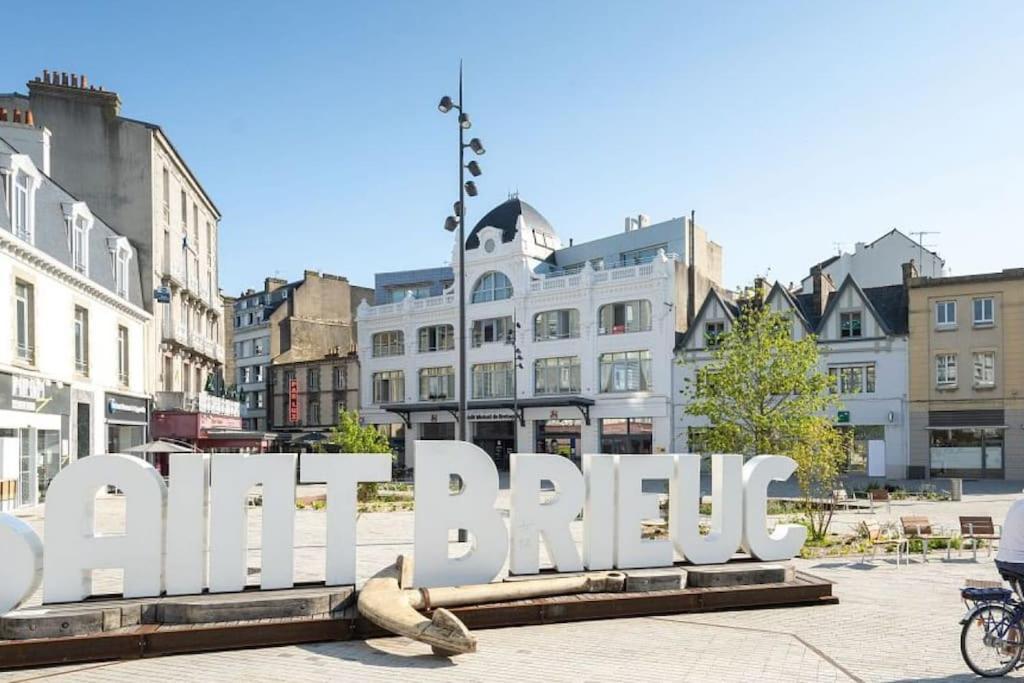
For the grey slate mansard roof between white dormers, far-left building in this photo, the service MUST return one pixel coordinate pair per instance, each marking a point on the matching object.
(52, 236)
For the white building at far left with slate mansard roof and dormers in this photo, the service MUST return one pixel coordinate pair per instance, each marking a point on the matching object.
(73, 350)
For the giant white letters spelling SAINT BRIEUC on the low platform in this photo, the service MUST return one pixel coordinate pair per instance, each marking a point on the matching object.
(166, 544)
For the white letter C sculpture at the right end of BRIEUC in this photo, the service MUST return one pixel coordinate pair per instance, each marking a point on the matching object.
(787, 540)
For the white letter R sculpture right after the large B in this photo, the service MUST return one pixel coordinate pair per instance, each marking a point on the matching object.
(531, 521)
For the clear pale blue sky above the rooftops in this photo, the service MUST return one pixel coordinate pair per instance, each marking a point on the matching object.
(788, 126)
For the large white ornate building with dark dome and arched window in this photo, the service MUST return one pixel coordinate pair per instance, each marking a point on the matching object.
(595, 326)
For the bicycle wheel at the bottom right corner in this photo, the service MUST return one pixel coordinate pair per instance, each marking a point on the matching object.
(992, 642)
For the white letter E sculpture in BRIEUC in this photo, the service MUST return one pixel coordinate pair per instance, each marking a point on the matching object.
(634, 506)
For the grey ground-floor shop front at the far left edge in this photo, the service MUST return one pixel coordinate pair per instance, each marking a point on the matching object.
(35, 418)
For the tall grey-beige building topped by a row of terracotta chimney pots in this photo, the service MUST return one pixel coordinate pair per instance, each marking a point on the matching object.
(131, 174)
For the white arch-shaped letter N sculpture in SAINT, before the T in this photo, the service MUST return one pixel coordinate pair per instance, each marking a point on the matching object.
(233, 476)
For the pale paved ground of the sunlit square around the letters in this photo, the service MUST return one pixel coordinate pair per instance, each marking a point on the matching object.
(892, 624)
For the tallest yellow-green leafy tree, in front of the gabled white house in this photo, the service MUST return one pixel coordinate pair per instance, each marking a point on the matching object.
(764, 393)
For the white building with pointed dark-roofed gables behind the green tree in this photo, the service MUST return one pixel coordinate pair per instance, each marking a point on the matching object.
(864, 335)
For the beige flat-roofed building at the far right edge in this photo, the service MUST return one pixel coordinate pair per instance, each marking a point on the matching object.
(967, 376)
